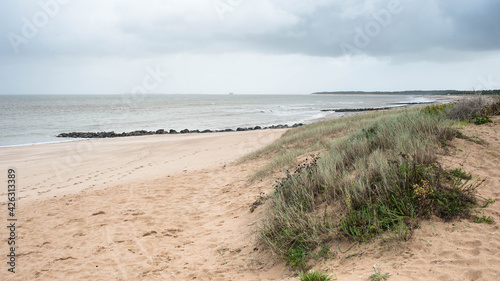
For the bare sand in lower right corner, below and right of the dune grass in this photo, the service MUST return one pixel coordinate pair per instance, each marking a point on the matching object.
(459, 250)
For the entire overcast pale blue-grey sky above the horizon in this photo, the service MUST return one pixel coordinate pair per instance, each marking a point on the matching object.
(247, 46)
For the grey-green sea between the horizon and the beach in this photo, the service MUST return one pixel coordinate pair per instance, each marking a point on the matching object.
(39, 119)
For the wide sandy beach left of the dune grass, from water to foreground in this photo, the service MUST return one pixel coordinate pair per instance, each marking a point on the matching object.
(153, 207)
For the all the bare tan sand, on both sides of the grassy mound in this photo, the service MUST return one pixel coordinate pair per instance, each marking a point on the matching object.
(176, 207)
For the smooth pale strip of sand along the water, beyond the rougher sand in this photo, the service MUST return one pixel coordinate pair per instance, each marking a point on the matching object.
(56, 169)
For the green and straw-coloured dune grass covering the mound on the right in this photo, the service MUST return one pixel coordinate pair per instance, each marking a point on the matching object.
(369, 175)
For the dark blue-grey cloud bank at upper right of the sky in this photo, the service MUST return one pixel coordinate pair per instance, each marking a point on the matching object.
(422, 26)
